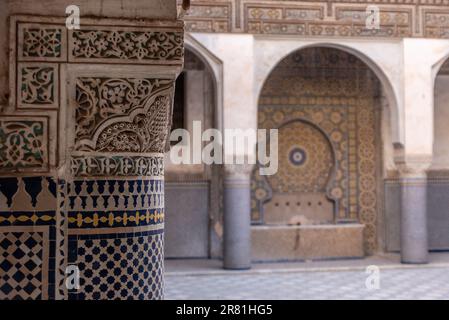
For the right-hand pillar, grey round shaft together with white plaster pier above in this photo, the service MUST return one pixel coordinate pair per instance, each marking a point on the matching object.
(418, 143)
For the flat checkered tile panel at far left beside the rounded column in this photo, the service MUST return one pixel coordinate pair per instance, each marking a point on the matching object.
(31, 260)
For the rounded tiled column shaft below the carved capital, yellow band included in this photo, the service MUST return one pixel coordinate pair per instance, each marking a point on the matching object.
(116, 237)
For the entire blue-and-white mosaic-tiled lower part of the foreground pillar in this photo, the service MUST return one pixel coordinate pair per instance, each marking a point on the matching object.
(112, 230)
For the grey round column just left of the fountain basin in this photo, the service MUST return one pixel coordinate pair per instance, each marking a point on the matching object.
(237, 218)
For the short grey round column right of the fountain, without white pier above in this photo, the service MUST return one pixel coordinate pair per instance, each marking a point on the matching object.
(414, 238)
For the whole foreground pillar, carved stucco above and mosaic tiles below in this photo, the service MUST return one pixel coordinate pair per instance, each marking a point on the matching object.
(81, 163)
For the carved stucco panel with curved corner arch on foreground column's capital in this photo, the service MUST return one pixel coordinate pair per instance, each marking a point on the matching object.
(122, 114)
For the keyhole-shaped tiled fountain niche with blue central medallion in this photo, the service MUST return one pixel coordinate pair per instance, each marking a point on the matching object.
(307, 167)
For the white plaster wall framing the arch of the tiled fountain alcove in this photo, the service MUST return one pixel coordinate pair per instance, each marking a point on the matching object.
(405, 67)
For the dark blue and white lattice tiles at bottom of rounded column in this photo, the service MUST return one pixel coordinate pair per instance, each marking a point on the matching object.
(118, 266)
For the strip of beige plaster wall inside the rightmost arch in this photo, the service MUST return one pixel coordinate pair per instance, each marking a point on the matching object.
(441, 143)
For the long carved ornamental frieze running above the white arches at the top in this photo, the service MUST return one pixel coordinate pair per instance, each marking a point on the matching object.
(340, 18)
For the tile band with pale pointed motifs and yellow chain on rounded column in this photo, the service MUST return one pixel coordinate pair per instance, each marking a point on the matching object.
(115, 203)
